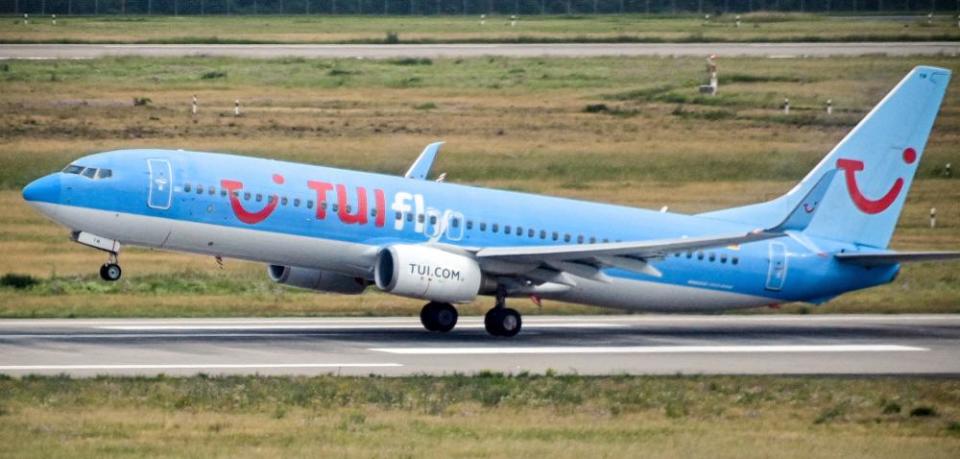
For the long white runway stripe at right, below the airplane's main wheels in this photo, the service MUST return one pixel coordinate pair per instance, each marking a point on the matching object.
(747, 349)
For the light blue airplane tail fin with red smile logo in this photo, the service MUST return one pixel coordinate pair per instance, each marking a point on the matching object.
(877, 159)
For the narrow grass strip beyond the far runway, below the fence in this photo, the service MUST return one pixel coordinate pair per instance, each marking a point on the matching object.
(755, 27)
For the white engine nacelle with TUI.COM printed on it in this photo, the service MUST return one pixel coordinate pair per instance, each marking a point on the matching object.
(427, 273)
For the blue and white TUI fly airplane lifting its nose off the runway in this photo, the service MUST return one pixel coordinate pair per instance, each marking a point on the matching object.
(335, 230)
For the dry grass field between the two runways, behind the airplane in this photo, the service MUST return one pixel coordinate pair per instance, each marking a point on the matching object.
(509, 123)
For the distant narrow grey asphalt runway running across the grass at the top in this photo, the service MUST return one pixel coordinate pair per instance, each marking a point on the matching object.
(773, 50)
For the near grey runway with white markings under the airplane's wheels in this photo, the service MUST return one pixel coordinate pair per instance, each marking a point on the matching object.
(639, 344)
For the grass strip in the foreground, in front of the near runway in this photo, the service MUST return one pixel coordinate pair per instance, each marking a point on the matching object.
(485, 415)
